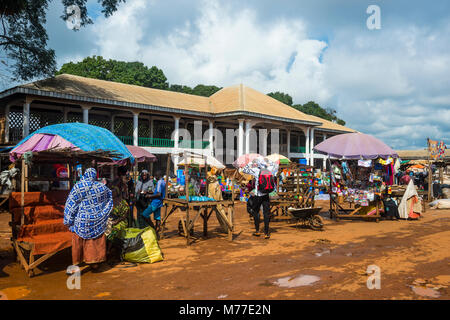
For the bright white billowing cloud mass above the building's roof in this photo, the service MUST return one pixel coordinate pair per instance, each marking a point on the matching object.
(224, 46)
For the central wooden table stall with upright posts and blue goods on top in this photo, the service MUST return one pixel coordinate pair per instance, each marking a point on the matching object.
(194, 203)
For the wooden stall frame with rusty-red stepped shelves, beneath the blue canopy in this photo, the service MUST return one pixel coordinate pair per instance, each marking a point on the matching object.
(37, 226)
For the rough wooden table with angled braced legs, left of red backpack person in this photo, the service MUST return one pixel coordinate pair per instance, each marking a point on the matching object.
(202, 209)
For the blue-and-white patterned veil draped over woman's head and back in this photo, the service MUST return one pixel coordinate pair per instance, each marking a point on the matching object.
(88, 206)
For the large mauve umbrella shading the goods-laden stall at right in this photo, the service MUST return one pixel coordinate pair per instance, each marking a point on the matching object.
(355, 146)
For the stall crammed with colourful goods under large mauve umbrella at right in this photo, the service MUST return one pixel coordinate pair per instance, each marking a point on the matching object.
(361, 170)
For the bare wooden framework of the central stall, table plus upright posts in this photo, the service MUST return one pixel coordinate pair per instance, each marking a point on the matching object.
(202, 209)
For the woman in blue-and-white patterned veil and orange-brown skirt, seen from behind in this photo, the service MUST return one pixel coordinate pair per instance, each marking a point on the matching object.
(86, 214)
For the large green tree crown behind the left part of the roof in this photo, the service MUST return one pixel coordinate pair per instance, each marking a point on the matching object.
(118, 71)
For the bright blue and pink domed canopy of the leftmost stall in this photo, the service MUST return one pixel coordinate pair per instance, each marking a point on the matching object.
(77, 136)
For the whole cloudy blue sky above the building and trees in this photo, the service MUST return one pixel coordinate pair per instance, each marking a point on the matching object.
(392, 82)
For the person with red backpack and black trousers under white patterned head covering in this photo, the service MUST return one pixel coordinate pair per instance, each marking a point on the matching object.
(264, 172)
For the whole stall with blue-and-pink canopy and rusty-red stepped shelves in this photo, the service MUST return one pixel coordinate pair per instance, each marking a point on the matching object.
(50, 160)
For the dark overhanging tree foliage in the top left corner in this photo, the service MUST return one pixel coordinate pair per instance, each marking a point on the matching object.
(23, 38)
